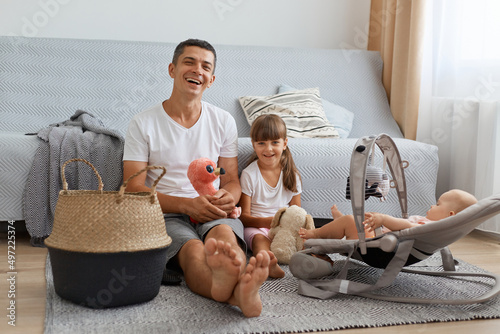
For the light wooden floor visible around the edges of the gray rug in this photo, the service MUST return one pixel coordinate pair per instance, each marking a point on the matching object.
(478, 248)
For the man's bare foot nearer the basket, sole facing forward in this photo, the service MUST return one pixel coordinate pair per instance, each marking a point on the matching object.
(225, 266)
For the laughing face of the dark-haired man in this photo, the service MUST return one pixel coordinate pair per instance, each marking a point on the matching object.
(193, 72)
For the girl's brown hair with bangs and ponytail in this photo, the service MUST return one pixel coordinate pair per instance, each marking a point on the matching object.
(272, 127)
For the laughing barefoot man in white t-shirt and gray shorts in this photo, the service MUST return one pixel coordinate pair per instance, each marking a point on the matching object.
(174, 133)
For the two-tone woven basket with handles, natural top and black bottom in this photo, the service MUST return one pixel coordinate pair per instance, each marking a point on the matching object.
(108, 248)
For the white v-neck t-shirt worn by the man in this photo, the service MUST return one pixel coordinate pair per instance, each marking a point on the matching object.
(154, 137)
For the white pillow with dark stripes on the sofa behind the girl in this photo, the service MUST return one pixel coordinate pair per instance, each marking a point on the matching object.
(301, 110)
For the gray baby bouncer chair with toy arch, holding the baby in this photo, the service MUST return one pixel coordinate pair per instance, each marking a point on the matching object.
(391, 251)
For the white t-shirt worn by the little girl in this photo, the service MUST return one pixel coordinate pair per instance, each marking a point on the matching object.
(266, 200)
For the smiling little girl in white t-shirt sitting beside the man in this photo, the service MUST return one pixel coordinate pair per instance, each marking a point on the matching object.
(270, 182)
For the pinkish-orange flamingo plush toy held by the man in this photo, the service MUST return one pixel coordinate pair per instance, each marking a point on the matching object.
(202, 173)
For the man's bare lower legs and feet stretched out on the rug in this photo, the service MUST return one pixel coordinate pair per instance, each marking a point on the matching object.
(218, 270)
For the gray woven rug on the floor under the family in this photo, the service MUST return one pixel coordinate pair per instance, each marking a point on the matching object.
(177, 310)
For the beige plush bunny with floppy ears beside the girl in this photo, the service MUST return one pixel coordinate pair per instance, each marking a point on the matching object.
(284, 232)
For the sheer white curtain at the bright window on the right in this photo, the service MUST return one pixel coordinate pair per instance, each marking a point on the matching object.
(460, 96)
